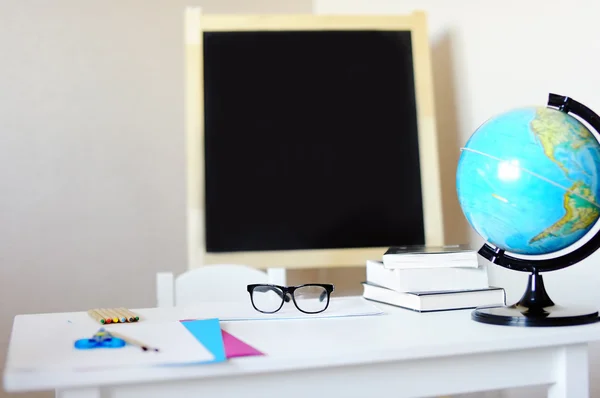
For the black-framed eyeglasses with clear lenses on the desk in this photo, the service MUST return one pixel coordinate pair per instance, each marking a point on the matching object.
(310, 298)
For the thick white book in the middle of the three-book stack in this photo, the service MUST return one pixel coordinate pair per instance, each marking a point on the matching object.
(426, 279)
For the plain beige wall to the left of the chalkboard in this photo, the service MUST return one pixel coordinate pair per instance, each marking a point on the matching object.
(92, 194)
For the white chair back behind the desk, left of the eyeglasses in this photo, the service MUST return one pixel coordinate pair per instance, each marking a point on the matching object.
(223, 282)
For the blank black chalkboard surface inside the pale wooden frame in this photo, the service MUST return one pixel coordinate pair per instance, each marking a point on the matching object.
(310, 141)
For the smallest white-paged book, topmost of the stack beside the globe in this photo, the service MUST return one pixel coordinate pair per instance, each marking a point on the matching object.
(430, 257)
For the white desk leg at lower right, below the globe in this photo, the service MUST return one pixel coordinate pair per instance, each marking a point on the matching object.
(572, 377)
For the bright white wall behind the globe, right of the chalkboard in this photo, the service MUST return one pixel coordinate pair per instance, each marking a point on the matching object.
(490, 56)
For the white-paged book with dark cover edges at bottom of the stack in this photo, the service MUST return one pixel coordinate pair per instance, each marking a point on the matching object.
(436, 301)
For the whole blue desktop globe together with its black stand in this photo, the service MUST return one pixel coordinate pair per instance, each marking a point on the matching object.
(527, 181)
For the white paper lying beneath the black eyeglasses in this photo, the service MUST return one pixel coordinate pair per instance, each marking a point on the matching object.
(338, 307)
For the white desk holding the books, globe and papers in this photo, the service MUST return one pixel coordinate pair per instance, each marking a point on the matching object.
(411, 354)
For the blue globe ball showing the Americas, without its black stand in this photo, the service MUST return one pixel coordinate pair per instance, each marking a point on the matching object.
(528, 180)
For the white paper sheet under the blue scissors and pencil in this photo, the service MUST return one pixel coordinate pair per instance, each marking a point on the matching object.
(53, 348)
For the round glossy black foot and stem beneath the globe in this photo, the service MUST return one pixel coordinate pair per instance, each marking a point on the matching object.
(535, 309)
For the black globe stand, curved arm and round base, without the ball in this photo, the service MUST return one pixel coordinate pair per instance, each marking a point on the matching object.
(535, 308)
